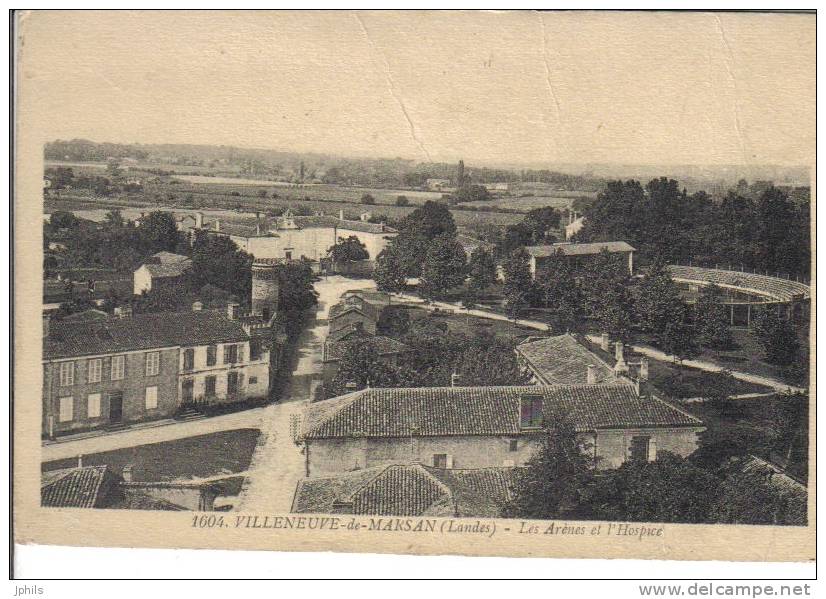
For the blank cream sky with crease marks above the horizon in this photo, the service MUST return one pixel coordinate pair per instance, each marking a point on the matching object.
(487, 87)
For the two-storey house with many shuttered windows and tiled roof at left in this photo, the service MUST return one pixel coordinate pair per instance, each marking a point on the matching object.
(134, 367)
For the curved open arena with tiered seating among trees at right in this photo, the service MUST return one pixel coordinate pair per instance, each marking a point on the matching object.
(745, 293)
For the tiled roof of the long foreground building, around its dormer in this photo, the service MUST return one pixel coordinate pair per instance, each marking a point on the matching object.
(446, 411)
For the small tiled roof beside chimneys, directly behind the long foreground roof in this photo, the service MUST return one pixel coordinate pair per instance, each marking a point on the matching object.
(563, 360)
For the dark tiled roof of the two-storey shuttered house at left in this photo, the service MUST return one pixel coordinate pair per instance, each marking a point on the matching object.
(140, 331)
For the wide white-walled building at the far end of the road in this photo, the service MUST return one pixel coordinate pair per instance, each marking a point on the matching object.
(290, 237)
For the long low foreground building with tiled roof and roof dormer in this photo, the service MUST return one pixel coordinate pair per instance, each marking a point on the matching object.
(481, 427)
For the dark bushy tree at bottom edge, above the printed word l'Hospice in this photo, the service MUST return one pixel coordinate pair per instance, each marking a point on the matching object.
(669, 489)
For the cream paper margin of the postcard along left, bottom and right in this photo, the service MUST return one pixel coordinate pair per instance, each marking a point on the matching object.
(112, 528)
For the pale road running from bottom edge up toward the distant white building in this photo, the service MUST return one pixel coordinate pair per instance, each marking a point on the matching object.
(278, 463)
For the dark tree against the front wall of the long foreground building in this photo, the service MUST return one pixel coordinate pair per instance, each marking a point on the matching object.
(555, 479)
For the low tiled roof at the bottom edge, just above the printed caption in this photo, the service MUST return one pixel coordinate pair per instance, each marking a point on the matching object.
(407, 490)
